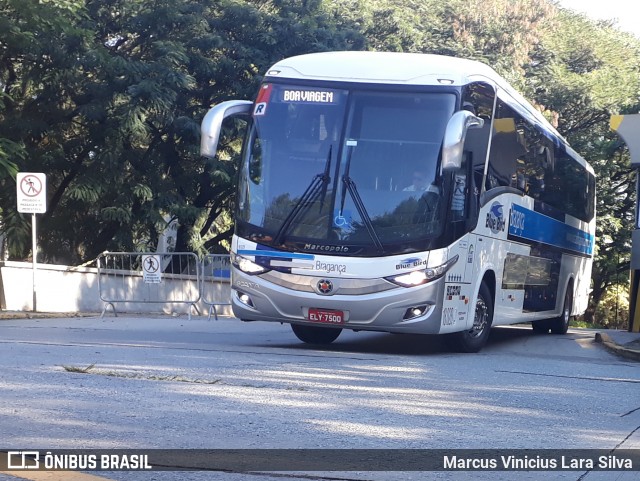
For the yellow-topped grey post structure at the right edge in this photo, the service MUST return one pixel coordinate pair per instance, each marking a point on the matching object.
(628, 127)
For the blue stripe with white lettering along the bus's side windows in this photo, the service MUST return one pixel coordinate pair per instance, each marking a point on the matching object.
(533, 226)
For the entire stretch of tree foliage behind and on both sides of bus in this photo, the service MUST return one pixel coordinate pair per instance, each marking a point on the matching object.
(106, 97)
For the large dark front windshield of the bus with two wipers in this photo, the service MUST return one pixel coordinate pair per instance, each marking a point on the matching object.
(358, 169)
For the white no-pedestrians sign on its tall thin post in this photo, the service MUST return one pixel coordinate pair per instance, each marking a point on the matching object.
(31, 189)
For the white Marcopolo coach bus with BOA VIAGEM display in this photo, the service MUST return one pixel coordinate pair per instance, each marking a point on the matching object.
(404, 193)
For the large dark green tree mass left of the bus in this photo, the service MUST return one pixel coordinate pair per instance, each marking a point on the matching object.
(107, 99)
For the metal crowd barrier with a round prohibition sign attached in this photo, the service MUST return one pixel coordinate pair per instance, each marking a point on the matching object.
(146, 277)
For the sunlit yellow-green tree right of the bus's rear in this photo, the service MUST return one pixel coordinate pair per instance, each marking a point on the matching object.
(591, 71)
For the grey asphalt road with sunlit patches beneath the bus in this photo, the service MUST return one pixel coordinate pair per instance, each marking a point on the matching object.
(137, 382)
